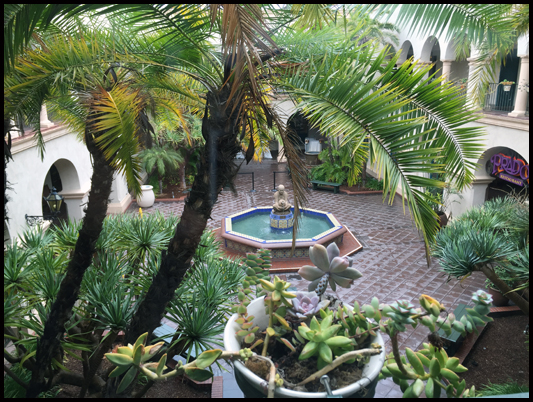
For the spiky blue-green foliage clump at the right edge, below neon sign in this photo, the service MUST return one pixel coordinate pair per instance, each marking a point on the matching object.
(493, 239)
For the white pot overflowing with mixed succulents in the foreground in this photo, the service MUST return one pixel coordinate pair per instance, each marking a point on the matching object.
(299, 337)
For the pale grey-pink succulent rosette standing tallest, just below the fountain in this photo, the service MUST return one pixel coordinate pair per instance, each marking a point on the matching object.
(330, 267)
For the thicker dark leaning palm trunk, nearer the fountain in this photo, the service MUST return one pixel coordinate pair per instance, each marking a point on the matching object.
(215, 169)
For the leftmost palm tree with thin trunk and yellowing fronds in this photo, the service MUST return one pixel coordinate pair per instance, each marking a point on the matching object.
(99, 102)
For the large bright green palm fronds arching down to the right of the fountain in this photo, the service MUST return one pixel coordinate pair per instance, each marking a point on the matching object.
(412, 131)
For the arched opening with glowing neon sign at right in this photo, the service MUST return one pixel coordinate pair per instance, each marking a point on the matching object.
(510, 172)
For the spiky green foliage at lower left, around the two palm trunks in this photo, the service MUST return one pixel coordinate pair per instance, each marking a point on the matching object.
(110, 293)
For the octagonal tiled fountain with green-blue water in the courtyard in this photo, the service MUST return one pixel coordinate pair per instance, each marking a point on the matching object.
(271, 228)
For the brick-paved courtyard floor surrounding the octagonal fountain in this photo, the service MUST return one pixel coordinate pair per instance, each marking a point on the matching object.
(392, 261)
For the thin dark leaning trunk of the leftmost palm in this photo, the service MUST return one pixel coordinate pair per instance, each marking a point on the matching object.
(49, 344)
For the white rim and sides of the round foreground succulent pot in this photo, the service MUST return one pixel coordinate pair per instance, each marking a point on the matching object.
(254, 386)
